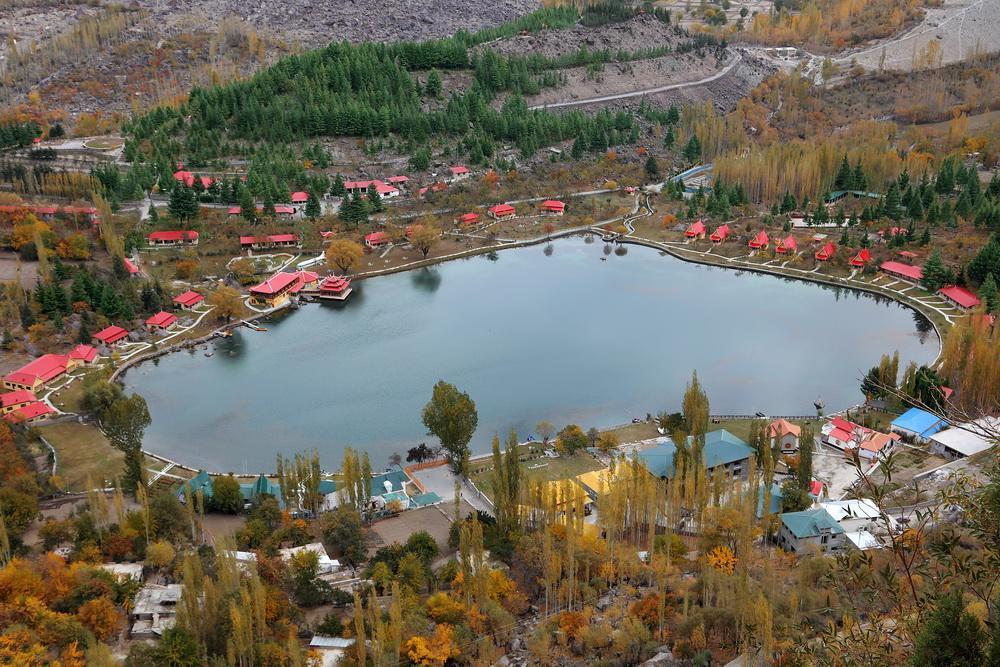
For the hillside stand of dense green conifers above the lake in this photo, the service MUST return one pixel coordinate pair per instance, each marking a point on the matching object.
(374, 90)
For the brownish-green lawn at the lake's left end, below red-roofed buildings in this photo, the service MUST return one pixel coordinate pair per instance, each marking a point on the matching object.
(83, 452)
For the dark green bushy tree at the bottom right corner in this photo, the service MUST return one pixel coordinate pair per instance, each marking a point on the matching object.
(950, 637)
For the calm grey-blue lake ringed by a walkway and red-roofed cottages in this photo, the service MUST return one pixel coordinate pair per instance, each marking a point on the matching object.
(569, 332)
